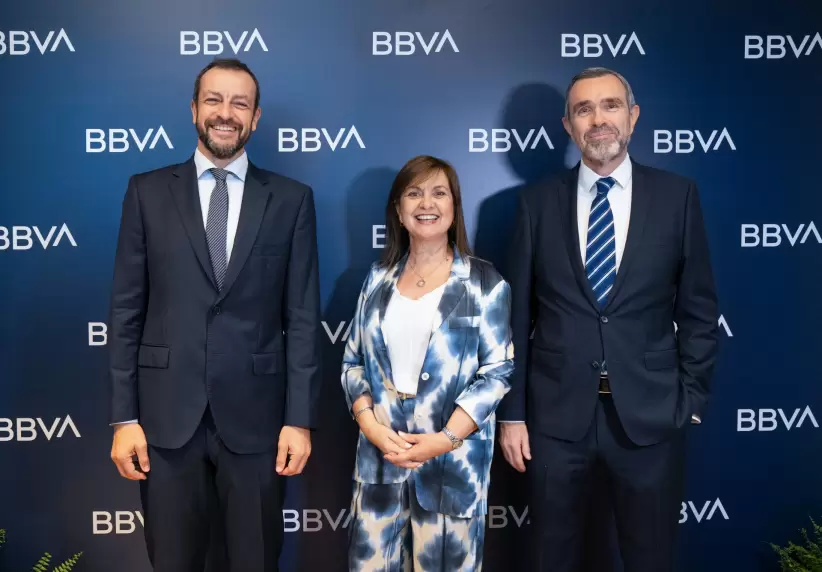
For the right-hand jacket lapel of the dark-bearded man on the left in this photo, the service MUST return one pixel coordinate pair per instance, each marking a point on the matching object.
(255, 198)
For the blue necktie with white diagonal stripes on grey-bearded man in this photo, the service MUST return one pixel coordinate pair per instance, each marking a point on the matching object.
(600, 252)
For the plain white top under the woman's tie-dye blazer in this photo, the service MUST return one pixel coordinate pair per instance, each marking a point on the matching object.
(407, 330)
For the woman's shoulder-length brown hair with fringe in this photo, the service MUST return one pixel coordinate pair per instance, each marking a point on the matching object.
(413, 172)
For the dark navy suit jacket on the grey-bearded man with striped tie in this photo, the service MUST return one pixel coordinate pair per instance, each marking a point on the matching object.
(659, 377)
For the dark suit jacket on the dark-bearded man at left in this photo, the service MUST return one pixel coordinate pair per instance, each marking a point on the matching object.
(177, 343)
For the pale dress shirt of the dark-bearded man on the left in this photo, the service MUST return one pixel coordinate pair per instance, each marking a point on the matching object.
(206, 182)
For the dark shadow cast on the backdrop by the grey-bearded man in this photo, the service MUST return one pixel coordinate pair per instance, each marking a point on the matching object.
(530, 107)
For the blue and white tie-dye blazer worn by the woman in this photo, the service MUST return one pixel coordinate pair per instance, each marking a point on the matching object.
(469, 358)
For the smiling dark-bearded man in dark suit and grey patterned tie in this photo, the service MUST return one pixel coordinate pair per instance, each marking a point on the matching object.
(214, 338)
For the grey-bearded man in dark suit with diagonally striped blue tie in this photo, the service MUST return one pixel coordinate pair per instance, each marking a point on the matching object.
(606, 259)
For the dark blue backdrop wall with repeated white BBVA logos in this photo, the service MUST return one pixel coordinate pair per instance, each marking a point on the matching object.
(95, 91)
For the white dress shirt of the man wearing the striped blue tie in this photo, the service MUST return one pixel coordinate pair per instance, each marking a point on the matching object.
(620, 198)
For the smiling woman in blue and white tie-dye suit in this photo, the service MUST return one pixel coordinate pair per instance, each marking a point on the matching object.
(425, 367)
